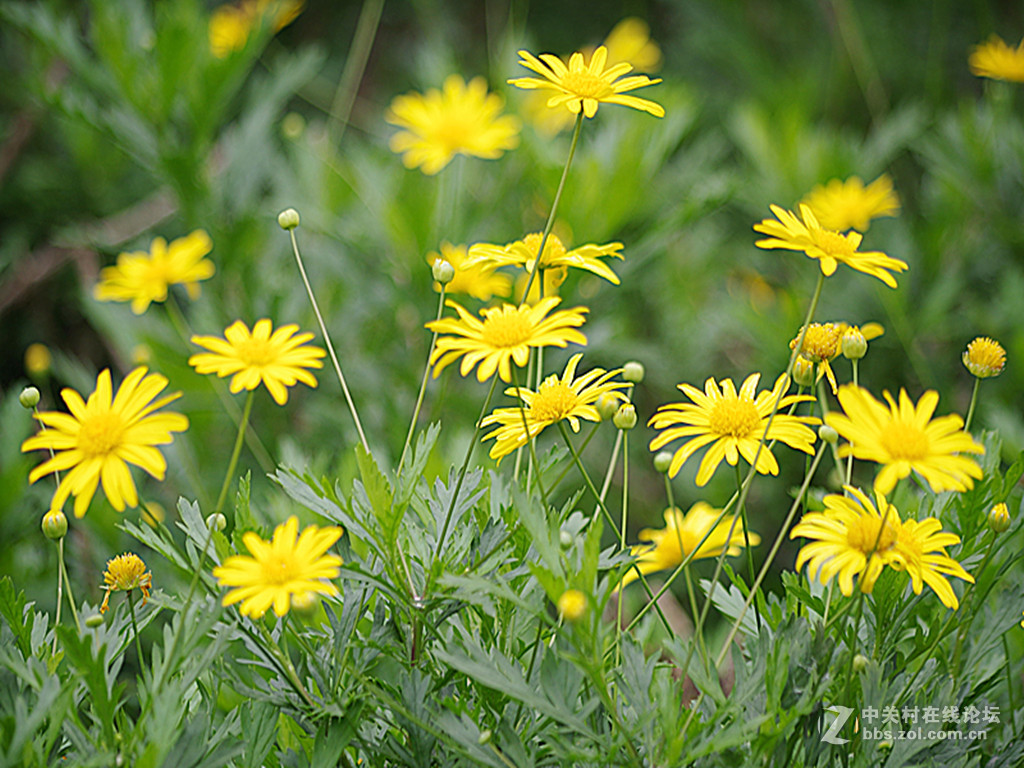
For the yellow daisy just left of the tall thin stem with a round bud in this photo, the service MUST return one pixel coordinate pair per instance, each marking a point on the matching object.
(277, 360)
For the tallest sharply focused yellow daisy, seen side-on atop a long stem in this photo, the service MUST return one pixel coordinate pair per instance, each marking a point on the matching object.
(582, 87)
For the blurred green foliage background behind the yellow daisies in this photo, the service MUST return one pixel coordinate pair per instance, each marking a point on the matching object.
(119, 125)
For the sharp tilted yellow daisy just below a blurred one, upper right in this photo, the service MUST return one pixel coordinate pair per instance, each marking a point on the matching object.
(829, 247)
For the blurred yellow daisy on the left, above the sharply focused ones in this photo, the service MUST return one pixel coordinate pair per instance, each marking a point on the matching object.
(144, 278)
